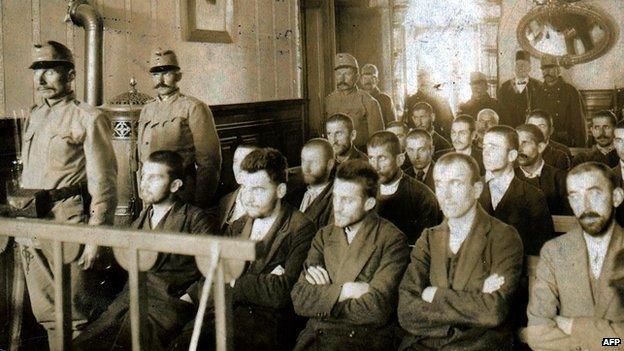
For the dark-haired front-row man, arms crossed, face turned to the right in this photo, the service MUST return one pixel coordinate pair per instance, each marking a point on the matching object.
(348, 288)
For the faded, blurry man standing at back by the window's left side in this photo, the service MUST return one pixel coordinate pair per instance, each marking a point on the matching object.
(427, 93)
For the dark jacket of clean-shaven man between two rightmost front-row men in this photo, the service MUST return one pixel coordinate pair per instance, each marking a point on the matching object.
(525, 208)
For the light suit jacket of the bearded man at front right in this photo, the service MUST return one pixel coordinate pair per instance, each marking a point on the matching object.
(563, 288)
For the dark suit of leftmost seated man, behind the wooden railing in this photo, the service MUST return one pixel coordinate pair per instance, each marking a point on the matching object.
(166, 282)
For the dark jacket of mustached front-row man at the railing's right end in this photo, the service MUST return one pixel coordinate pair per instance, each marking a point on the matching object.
(263, 315)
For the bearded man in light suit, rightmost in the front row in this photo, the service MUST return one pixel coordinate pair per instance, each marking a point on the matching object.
(572, 305)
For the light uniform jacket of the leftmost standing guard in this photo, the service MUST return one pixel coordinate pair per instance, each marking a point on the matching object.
(66, 142)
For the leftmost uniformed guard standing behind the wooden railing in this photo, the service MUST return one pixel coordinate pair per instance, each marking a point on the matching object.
(66, 142)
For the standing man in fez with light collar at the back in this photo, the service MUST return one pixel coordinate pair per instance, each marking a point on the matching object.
(517, 95)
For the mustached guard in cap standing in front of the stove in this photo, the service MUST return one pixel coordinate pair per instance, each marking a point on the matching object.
(180, 123)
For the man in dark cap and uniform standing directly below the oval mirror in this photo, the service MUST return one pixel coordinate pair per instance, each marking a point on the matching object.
(564, 104)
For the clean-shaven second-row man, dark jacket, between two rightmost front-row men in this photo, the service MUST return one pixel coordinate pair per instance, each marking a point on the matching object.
(510, 199)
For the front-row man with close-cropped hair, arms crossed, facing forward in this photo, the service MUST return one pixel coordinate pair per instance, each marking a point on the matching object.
(458, 288)
